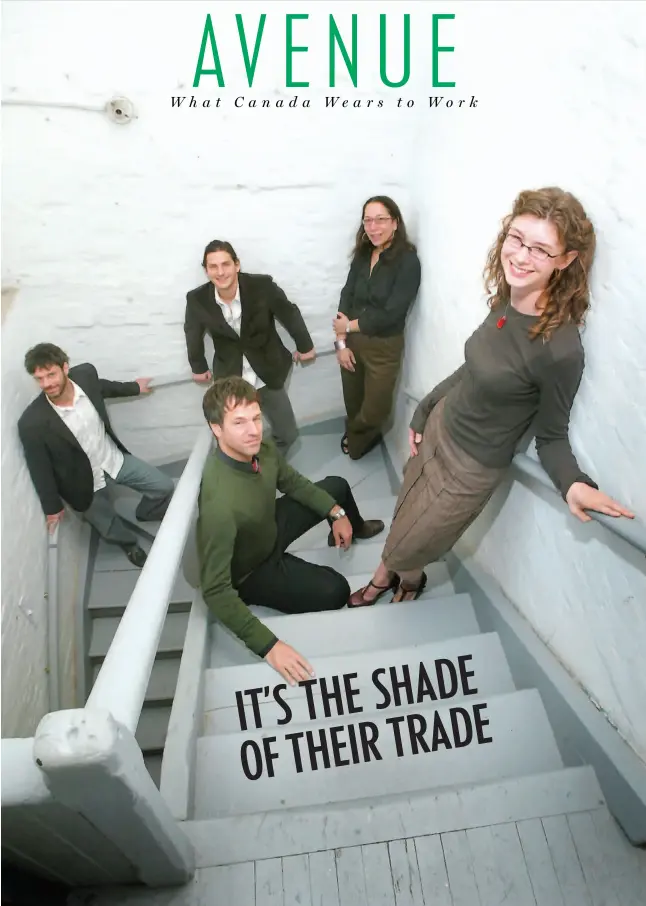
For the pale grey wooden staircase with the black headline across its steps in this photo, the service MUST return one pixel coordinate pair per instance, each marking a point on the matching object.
(411, 773)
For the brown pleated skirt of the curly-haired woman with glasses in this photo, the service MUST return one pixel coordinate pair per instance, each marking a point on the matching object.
(443, 491)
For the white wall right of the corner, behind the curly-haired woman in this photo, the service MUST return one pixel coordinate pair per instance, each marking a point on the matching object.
(575, 121)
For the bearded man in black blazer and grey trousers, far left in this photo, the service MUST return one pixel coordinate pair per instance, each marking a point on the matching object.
(73, 454)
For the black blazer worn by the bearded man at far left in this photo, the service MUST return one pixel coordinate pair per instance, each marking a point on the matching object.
(59, 468)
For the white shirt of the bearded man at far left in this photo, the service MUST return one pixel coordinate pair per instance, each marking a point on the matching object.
(85, 424)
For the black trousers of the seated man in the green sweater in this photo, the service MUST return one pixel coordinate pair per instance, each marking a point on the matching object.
(289, 584)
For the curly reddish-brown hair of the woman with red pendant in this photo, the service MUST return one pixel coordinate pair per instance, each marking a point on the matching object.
(567, 295)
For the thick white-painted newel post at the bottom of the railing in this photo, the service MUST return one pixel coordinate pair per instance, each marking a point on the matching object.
(94, 766)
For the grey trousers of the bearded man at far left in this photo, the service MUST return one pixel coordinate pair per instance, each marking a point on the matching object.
(155, 485)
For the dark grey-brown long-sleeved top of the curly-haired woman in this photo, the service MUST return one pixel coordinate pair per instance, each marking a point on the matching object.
(507, 383)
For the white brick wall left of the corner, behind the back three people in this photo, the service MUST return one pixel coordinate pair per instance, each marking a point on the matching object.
(104, 226)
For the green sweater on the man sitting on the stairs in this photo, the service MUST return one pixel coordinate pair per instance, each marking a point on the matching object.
(236, 532)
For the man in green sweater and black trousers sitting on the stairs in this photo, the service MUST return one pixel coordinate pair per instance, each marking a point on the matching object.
(243, 531)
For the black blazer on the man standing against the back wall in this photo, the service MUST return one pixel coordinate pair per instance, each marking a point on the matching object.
(262, 302)
